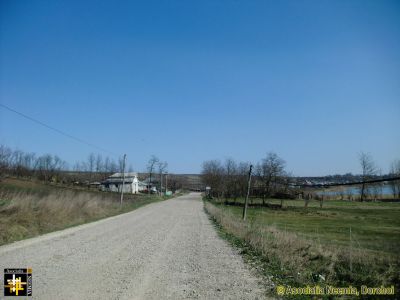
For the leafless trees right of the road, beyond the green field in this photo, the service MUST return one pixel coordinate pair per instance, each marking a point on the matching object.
(228, 179)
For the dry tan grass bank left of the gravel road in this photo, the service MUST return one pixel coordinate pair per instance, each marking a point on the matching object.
(27, 213)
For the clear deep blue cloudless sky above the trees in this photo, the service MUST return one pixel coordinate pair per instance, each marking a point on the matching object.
(315, 81)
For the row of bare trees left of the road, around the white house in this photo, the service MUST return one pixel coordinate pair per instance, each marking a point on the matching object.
(51, 168)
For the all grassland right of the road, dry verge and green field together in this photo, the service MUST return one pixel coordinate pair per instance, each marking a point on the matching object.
(298, 245)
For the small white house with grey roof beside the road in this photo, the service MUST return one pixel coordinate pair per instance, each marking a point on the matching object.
(114, 183)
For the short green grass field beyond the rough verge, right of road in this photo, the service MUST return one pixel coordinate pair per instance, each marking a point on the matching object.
(375, 226)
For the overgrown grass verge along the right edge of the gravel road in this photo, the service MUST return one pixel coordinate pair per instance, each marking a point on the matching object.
(290, 259)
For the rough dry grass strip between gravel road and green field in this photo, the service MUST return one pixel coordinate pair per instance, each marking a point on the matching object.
(306, 261)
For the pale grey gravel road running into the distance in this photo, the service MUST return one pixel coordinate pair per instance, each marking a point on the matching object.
(165, 250)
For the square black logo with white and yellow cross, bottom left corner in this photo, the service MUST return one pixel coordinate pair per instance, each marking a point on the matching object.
(18, 282)
